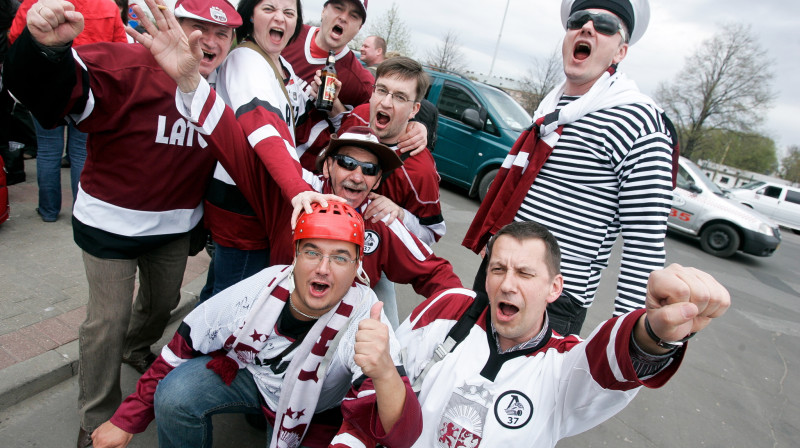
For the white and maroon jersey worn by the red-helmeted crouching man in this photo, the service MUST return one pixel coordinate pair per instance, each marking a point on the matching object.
(210, 326)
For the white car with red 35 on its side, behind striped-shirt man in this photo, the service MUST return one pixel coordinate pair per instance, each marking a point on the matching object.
(724, 226)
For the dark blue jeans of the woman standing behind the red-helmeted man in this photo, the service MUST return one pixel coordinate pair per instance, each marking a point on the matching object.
(230, 266)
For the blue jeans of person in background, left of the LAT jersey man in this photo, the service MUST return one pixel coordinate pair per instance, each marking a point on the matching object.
(48, 165)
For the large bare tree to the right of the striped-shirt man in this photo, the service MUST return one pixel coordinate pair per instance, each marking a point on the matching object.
(725, 84)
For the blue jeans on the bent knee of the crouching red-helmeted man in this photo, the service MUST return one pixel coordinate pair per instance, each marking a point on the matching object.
(188, 396)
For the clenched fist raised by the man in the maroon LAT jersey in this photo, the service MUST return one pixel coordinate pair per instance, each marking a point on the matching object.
(54, 23)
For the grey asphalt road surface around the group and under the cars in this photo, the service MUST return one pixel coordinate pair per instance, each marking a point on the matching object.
(735, 388)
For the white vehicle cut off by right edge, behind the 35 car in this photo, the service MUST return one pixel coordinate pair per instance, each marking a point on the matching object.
(781, 203)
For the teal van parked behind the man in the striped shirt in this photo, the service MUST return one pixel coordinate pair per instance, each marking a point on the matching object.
(478, 125)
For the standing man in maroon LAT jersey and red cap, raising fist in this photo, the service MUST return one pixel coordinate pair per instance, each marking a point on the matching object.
(142, 187)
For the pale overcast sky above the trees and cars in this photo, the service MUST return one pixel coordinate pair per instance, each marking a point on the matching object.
(677, 28)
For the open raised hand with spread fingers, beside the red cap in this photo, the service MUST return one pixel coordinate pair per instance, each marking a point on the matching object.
(179, 56)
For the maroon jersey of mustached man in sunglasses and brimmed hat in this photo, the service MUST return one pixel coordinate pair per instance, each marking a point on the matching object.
(389, 249)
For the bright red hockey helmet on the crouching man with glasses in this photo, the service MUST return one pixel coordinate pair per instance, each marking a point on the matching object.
(337, 221)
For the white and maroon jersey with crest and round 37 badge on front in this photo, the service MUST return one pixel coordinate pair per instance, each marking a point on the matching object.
(478, 397)
